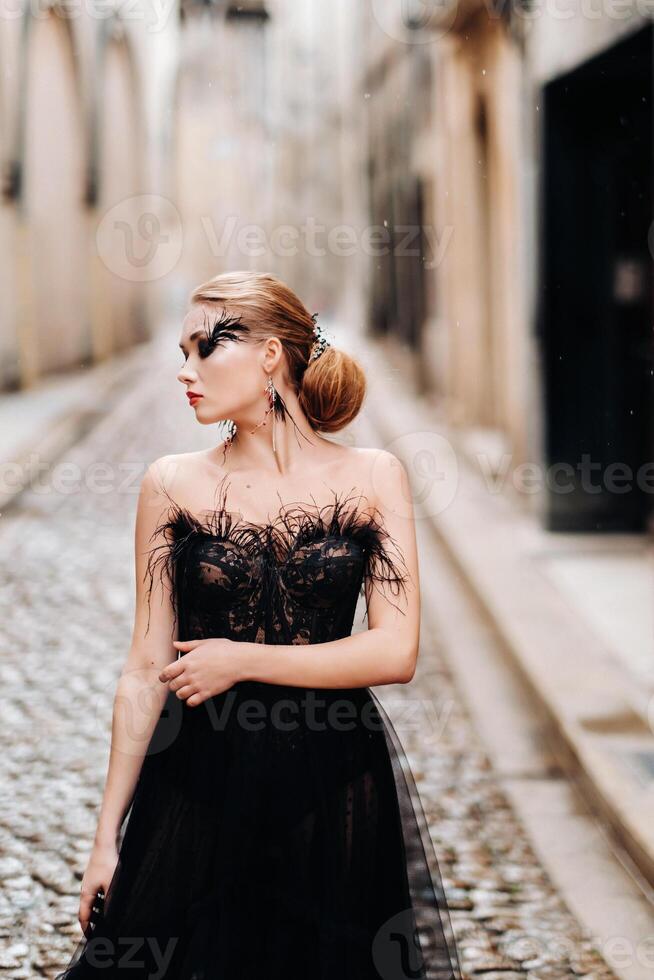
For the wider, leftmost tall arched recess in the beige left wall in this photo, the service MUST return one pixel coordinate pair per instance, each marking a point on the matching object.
(53, 188)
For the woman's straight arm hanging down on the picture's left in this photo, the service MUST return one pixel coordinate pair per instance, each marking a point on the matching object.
(140, 696)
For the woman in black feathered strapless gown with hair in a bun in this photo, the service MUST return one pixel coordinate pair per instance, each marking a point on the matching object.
(274, 829)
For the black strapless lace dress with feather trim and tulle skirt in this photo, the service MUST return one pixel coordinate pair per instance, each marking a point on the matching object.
(275, 832)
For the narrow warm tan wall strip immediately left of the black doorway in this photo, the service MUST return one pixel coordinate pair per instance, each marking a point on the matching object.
(481, 277)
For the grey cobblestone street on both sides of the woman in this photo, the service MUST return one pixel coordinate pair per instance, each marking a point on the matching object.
(67, 597)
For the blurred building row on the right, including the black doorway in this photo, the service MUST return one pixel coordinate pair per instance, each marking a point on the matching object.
(508, 153)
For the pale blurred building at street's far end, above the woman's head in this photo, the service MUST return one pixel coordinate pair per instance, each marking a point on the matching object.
(261, 143)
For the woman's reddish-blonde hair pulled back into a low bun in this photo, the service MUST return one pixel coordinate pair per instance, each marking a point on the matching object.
(330, 388)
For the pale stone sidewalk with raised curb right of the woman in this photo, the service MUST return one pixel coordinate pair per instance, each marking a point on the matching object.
(596, 733)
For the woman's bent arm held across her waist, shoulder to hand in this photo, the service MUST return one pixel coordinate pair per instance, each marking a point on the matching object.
(385, 653)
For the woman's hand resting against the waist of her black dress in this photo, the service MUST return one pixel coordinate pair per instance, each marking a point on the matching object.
(208, 667)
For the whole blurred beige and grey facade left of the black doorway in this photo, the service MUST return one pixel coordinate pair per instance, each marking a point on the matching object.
(445, 108)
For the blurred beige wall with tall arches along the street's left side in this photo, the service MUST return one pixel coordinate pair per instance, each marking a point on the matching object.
(82, 124)
